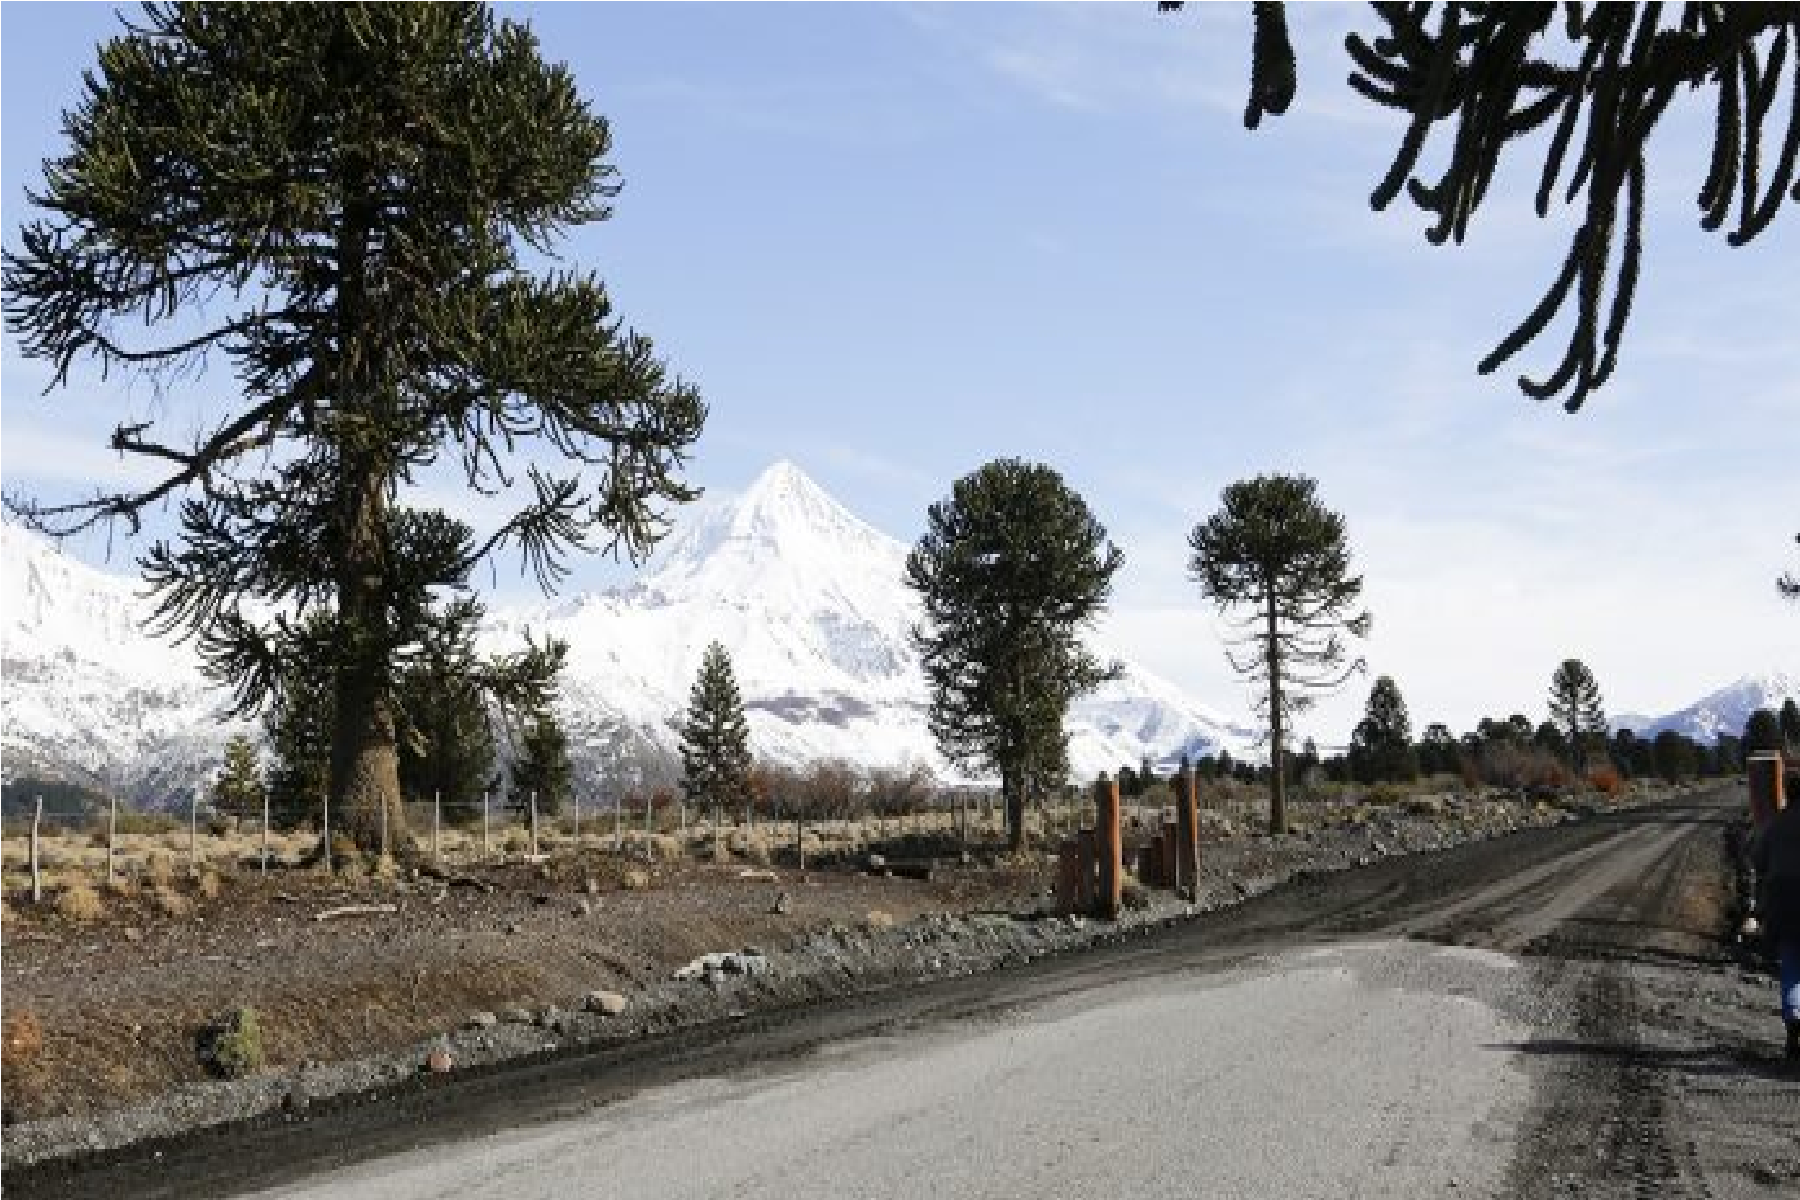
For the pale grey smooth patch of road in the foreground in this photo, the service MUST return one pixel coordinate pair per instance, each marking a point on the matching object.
(1354, 1071)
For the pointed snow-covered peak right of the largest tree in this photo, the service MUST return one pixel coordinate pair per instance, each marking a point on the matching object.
(813, 607)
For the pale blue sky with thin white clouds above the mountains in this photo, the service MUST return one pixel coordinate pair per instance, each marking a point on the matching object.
(895, 242)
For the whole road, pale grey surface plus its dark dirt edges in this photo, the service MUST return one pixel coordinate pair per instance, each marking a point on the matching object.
(1554, 1014)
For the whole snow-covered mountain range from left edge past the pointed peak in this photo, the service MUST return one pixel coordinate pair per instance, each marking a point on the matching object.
(805, 596)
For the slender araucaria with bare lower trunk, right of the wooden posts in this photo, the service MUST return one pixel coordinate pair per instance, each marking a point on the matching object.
(1282, 559)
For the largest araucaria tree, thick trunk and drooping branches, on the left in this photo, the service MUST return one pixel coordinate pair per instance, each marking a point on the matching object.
(330, 201)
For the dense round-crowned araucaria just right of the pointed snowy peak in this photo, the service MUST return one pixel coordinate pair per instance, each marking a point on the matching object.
(1011, 569)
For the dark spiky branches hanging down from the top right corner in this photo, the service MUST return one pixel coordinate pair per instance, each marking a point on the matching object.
(1599, 76)
